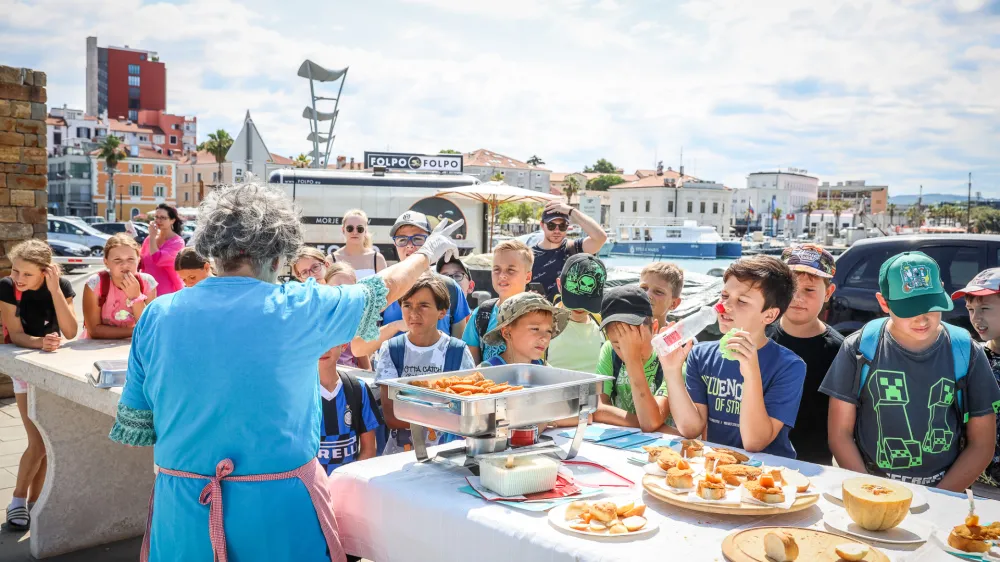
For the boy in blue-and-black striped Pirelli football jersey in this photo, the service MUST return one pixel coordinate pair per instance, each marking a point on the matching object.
(350, 415)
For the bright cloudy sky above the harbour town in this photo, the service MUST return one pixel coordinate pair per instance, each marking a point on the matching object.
(901, 93)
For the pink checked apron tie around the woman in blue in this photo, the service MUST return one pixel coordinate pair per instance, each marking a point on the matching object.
(312, 474)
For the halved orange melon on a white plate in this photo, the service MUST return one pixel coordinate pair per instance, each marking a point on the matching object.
(876, 504)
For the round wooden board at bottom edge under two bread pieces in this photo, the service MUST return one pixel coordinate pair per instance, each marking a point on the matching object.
(814, 545)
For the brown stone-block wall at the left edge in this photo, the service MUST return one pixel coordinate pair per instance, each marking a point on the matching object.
(23, 164)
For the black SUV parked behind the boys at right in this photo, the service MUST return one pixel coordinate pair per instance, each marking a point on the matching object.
(959, 256)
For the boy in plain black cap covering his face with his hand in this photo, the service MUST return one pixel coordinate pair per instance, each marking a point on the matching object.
(636, 397)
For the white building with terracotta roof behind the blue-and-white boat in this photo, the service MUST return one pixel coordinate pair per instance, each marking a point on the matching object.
(671, 195)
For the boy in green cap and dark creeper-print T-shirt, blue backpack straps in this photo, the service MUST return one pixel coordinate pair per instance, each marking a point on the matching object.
(906, 390)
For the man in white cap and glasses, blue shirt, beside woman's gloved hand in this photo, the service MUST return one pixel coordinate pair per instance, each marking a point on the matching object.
(408, 234)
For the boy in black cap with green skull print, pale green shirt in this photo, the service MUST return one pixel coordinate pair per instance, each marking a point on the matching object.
(581, 286)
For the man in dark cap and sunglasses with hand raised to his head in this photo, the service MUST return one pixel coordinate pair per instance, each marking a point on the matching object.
(551, 252)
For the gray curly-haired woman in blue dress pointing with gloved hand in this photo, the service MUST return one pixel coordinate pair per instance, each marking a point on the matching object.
(223, 382)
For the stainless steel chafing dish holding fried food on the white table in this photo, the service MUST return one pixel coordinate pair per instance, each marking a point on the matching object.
(549, 394)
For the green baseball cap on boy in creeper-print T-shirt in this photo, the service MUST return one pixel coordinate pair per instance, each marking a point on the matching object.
(911, 284)
